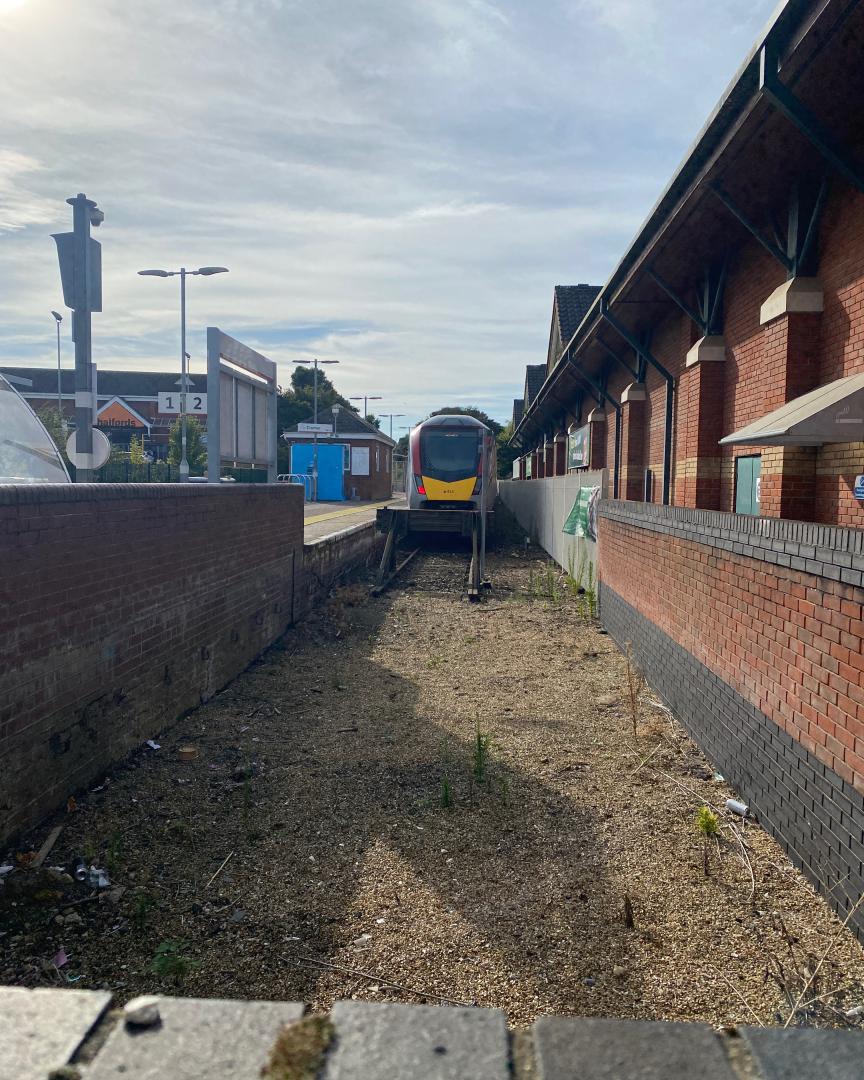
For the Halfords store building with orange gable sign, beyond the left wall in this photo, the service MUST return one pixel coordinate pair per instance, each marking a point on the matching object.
(128, 402)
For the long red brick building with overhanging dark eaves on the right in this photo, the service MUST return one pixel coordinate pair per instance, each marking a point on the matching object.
(742, 293)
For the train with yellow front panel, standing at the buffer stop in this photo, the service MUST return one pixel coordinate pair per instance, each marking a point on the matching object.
(453, 465)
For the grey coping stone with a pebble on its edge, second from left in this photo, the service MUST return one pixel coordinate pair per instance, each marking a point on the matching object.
(198, 1039)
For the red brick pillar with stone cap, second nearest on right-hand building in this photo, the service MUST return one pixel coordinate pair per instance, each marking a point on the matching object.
(700, 413)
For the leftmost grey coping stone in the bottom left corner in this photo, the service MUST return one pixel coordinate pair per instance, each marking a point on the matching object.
(42, 1030)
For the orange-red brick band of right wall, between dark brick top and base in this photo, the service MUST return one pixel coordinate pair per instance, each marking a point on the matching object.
(788, 642)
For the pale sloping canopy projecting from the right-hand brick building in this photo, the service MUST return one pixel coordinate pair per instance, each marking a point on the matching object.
(831, 414)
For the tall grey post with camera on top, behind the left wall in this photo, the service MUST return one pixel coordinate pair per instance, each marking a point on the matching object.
(85, 404)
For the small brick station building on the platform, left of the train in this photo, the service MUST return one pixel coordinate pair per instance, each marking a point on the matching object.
(368, 469)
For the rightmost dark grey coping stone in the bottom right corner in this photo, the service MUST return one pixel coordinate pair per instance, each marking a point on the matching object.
(800, 1055)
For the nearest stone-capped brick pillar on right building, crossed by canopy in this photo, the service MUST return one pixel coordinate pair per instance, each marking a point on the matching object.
(792, 318)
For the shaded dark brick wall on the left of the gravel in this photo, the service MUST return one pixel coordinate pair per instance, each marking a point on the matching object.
(123, 606)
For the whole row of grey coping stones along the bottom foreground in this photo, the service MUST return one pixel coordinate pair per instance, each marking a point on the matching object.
(209, 1039)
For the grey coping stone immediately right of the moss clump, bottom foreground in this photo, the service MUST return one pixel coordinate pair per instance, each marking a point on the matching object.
(421, 1043)
